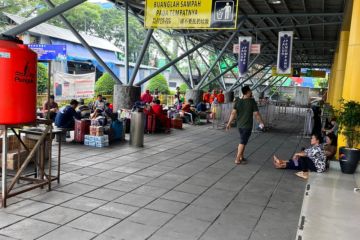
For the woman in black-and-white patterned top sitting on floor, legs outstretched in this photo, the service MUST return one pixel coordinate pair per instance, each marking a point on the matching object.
(312, 158)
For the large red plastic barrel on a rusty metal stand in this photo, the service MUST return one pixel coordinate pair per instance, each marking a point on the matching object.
(18, 77)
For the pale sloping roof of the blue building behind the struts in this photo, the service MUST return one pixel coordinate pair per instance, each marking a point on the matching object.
(64, 34)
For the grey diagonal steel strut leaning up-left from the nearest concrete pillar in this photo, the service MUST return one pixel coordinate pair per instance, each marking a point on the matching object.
(85, 44)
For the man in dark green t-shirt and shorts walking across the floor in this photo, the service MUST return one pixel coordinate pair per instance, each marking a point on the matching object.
(243, 112)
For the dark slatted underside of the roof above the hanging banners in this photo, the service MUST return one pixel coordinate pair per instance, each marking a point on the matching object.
(316, 24)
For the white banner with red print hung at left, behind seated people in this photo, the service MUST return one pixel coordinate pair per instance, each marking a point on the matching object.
(73, 86)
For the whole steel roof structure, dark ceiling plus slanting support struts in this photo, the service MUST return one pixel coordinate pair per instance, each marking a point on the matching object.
(316, 25)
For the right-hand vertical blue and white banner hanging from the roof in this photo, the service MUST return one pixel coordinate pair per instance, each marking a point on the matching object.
(284, 52)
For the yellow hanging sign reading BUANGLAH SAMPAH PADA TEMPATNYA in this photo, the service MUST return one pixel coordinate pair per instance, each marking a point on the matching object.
(185, 14)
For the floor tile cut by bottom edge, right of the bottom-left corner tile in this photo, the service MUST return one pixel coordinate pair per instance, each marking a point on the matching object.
(68, 233)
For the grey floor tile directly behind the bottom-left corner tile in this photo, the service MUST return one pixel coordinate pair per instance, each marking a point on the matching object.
(27, 208)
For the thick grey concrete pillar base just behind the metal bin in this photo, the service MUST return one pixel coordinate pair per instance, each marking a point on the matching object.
(125, 96)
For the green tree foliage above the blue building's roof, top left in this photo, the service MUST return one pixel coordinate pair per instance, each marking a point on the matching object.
(89, 18)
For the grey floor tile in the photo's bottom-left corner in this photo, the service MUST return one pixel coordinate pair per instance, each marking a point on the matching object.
(28, 229)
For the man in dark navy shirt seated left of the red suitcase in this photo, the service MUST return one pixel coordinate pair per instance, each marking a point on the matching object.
(65, 117)
